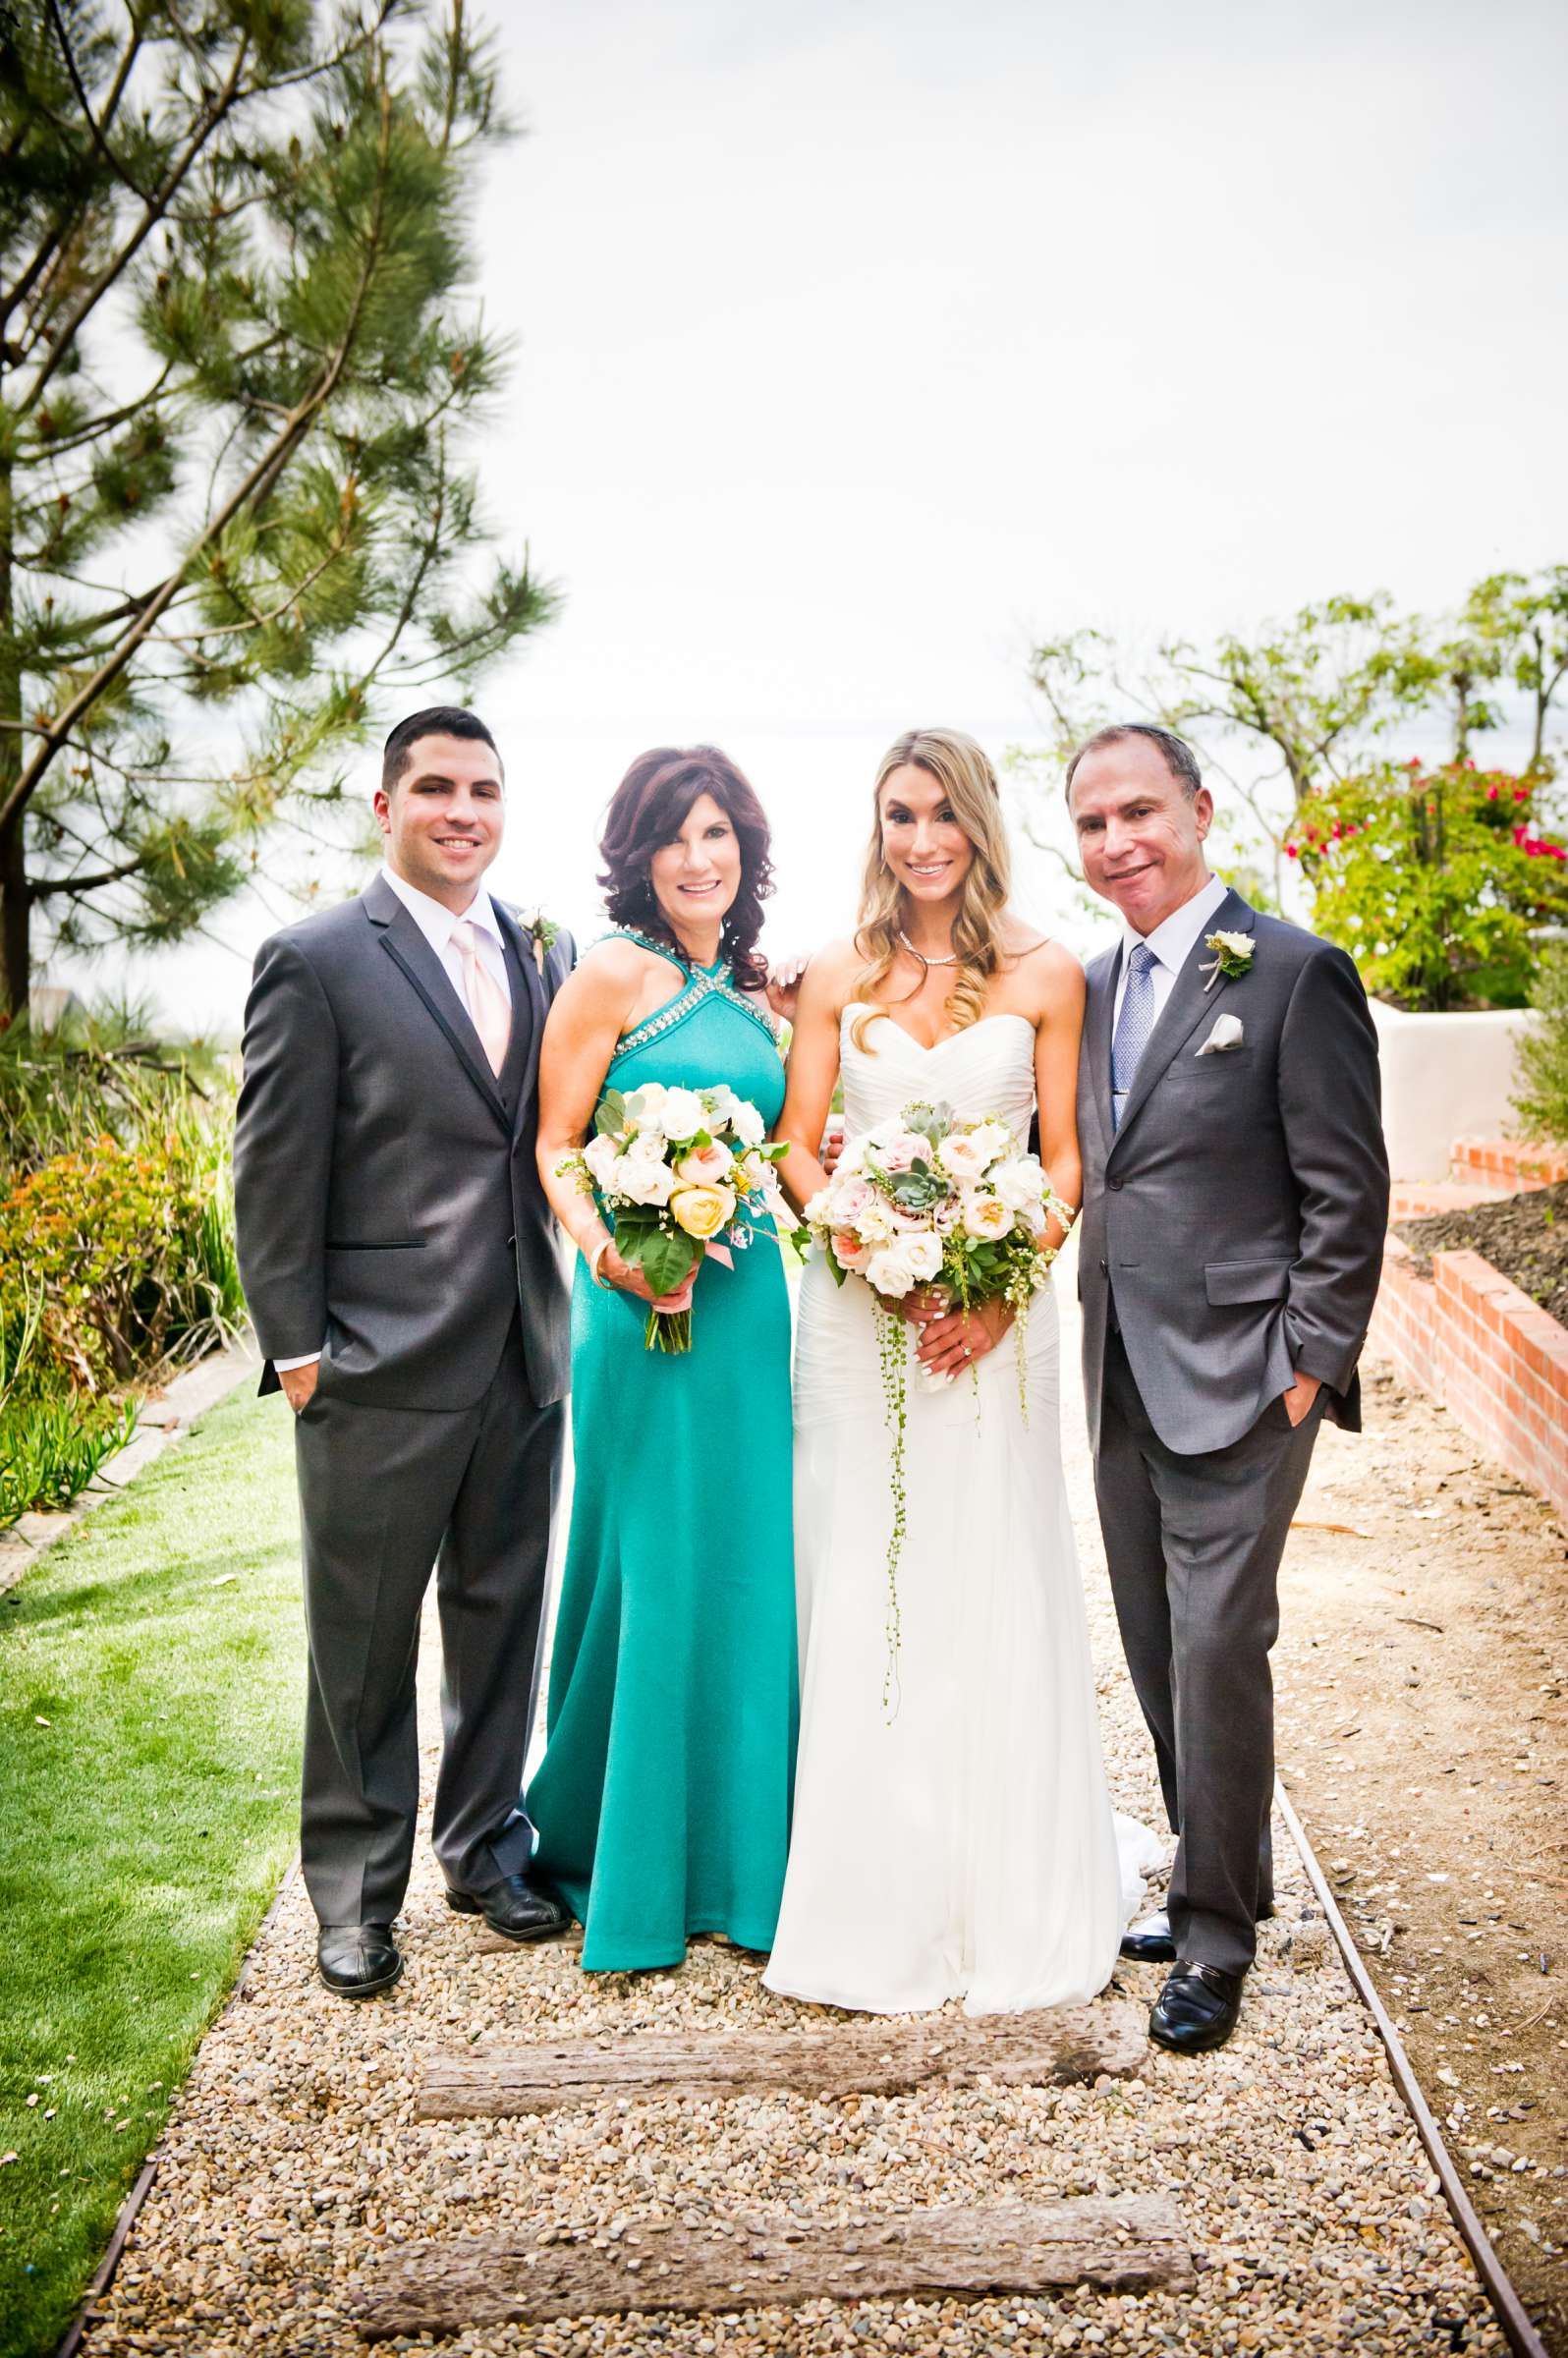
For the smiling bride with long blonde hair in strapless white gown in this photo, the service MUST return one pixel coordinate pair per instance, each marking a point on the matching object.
(966, 1845)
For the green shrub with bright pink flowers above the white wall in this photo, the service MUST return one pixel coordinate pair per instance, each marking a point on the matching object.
(1437, 883)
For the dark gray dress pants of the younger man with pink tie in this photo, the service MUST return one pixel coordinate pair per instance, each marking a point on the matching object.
(386, 1499)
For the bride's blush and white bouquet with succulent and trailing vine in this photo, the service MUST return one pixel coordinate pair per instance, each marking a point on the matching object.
(947, 1206)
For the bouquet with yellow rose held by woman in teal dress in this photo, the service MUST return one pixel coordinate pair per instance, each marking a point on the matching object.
(685, 1173)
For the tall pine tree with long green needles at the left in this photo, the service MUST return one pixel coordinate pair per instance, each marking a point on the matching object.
(239, 381)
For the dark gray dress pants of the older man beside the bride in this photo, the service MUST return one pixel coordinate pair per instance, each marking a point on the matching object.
(1194, 1550)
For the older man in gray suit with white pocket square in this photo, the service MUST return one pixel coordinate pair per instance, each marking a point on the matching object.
(1237, 1199)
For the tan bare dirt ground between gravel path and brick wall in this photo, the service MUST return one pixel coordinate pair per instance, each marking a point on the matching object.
(1423, 1737)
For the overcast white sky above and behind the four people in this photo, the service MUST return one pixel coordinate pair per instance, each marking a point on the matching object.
(864, 343)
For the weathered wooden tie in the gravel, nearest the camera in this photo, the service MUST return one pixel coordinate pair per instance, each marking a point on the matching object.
(954, 2253)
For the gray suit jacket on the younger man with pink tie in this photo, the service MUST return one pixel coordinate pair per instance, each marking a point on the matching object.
(388, 1199)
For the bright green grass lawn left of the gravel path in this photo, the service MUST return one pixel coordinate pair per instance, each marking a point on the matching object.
(150, 1748)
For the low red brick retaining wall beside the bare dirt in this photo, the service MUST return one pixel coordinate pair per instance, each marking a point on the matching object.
(1494, 1357)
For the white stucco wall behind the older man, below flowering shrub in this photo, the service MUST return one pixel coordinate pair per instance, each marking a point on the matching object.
(1447, 1079)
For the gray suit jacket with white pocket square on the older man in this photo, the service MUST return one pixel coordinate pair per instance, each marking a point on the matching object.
(1239, 1213)
